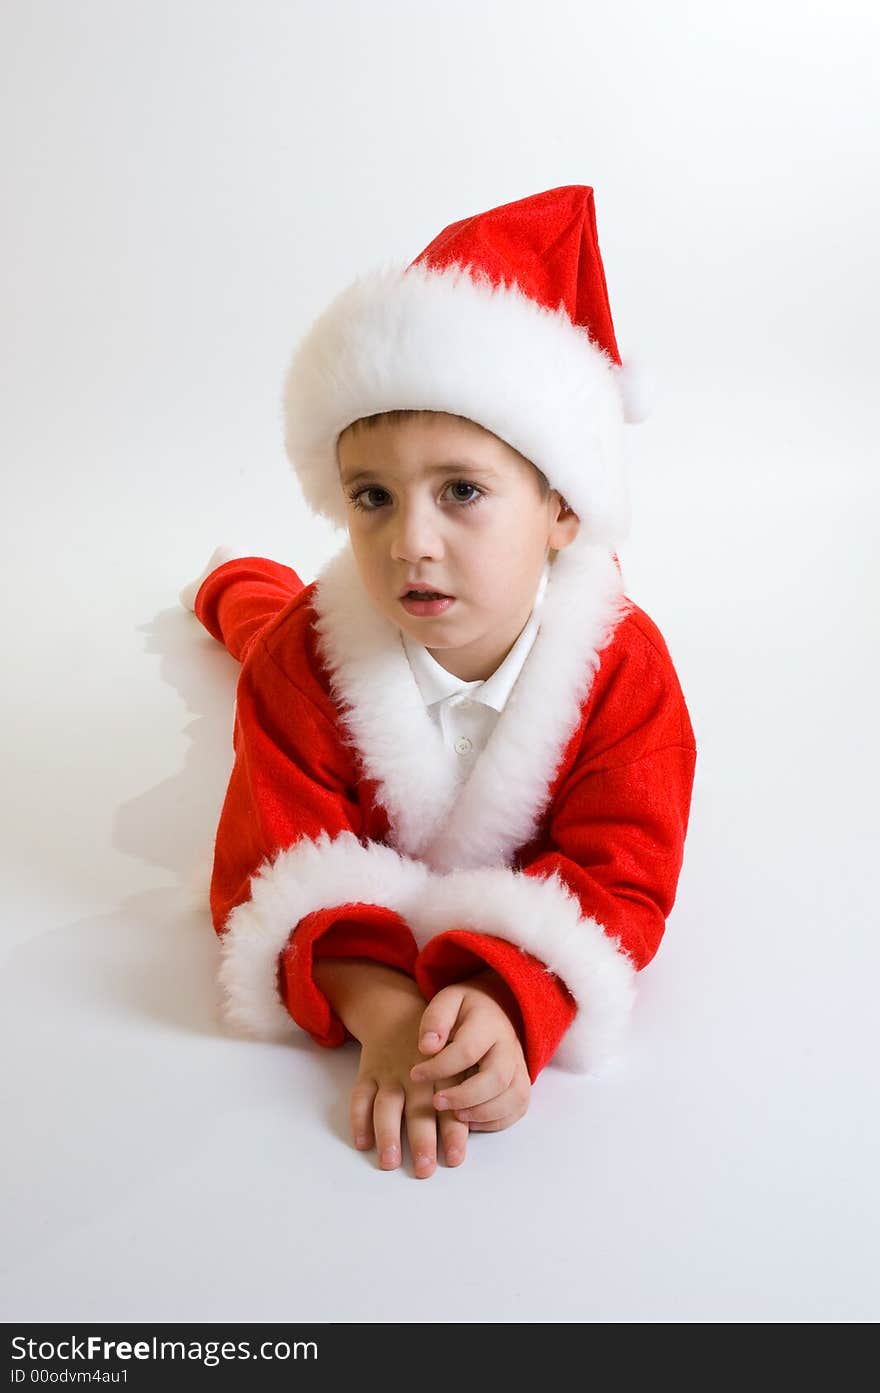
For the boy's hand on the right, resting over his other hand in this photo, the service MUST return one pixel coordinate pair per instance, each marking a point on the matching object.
(467, 1026)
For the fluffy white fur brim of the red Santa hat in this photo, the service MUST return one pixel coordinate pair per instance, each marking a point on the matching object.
(442, 341)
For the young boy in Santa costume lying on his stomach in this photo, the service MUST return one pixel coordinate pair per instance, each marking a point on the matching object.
(463, 761)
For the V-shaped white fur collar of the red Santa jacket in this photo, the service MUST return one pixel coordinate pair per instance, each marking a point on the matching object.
(482, 821)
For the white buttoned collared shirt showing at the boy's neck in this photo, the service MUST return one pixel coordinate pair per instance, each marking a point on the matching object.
(469, 713)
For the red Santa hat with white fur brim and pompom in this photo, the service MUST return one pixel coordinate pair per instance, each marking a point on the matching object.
(503, 318)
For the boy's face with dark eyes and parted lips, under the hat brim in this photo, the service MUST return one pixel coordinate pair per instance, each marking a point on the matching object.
(437, 504)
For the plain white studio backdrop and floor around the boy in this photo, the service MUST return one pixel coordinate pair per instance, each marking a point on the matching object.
(186, 185)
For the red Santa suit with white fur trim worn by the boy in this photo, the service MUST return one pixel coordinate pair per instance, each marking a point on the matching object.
(346, 832)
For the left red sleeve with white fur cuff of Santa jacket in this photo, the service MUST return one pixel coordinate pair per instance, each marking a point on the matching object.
(292, 871)
